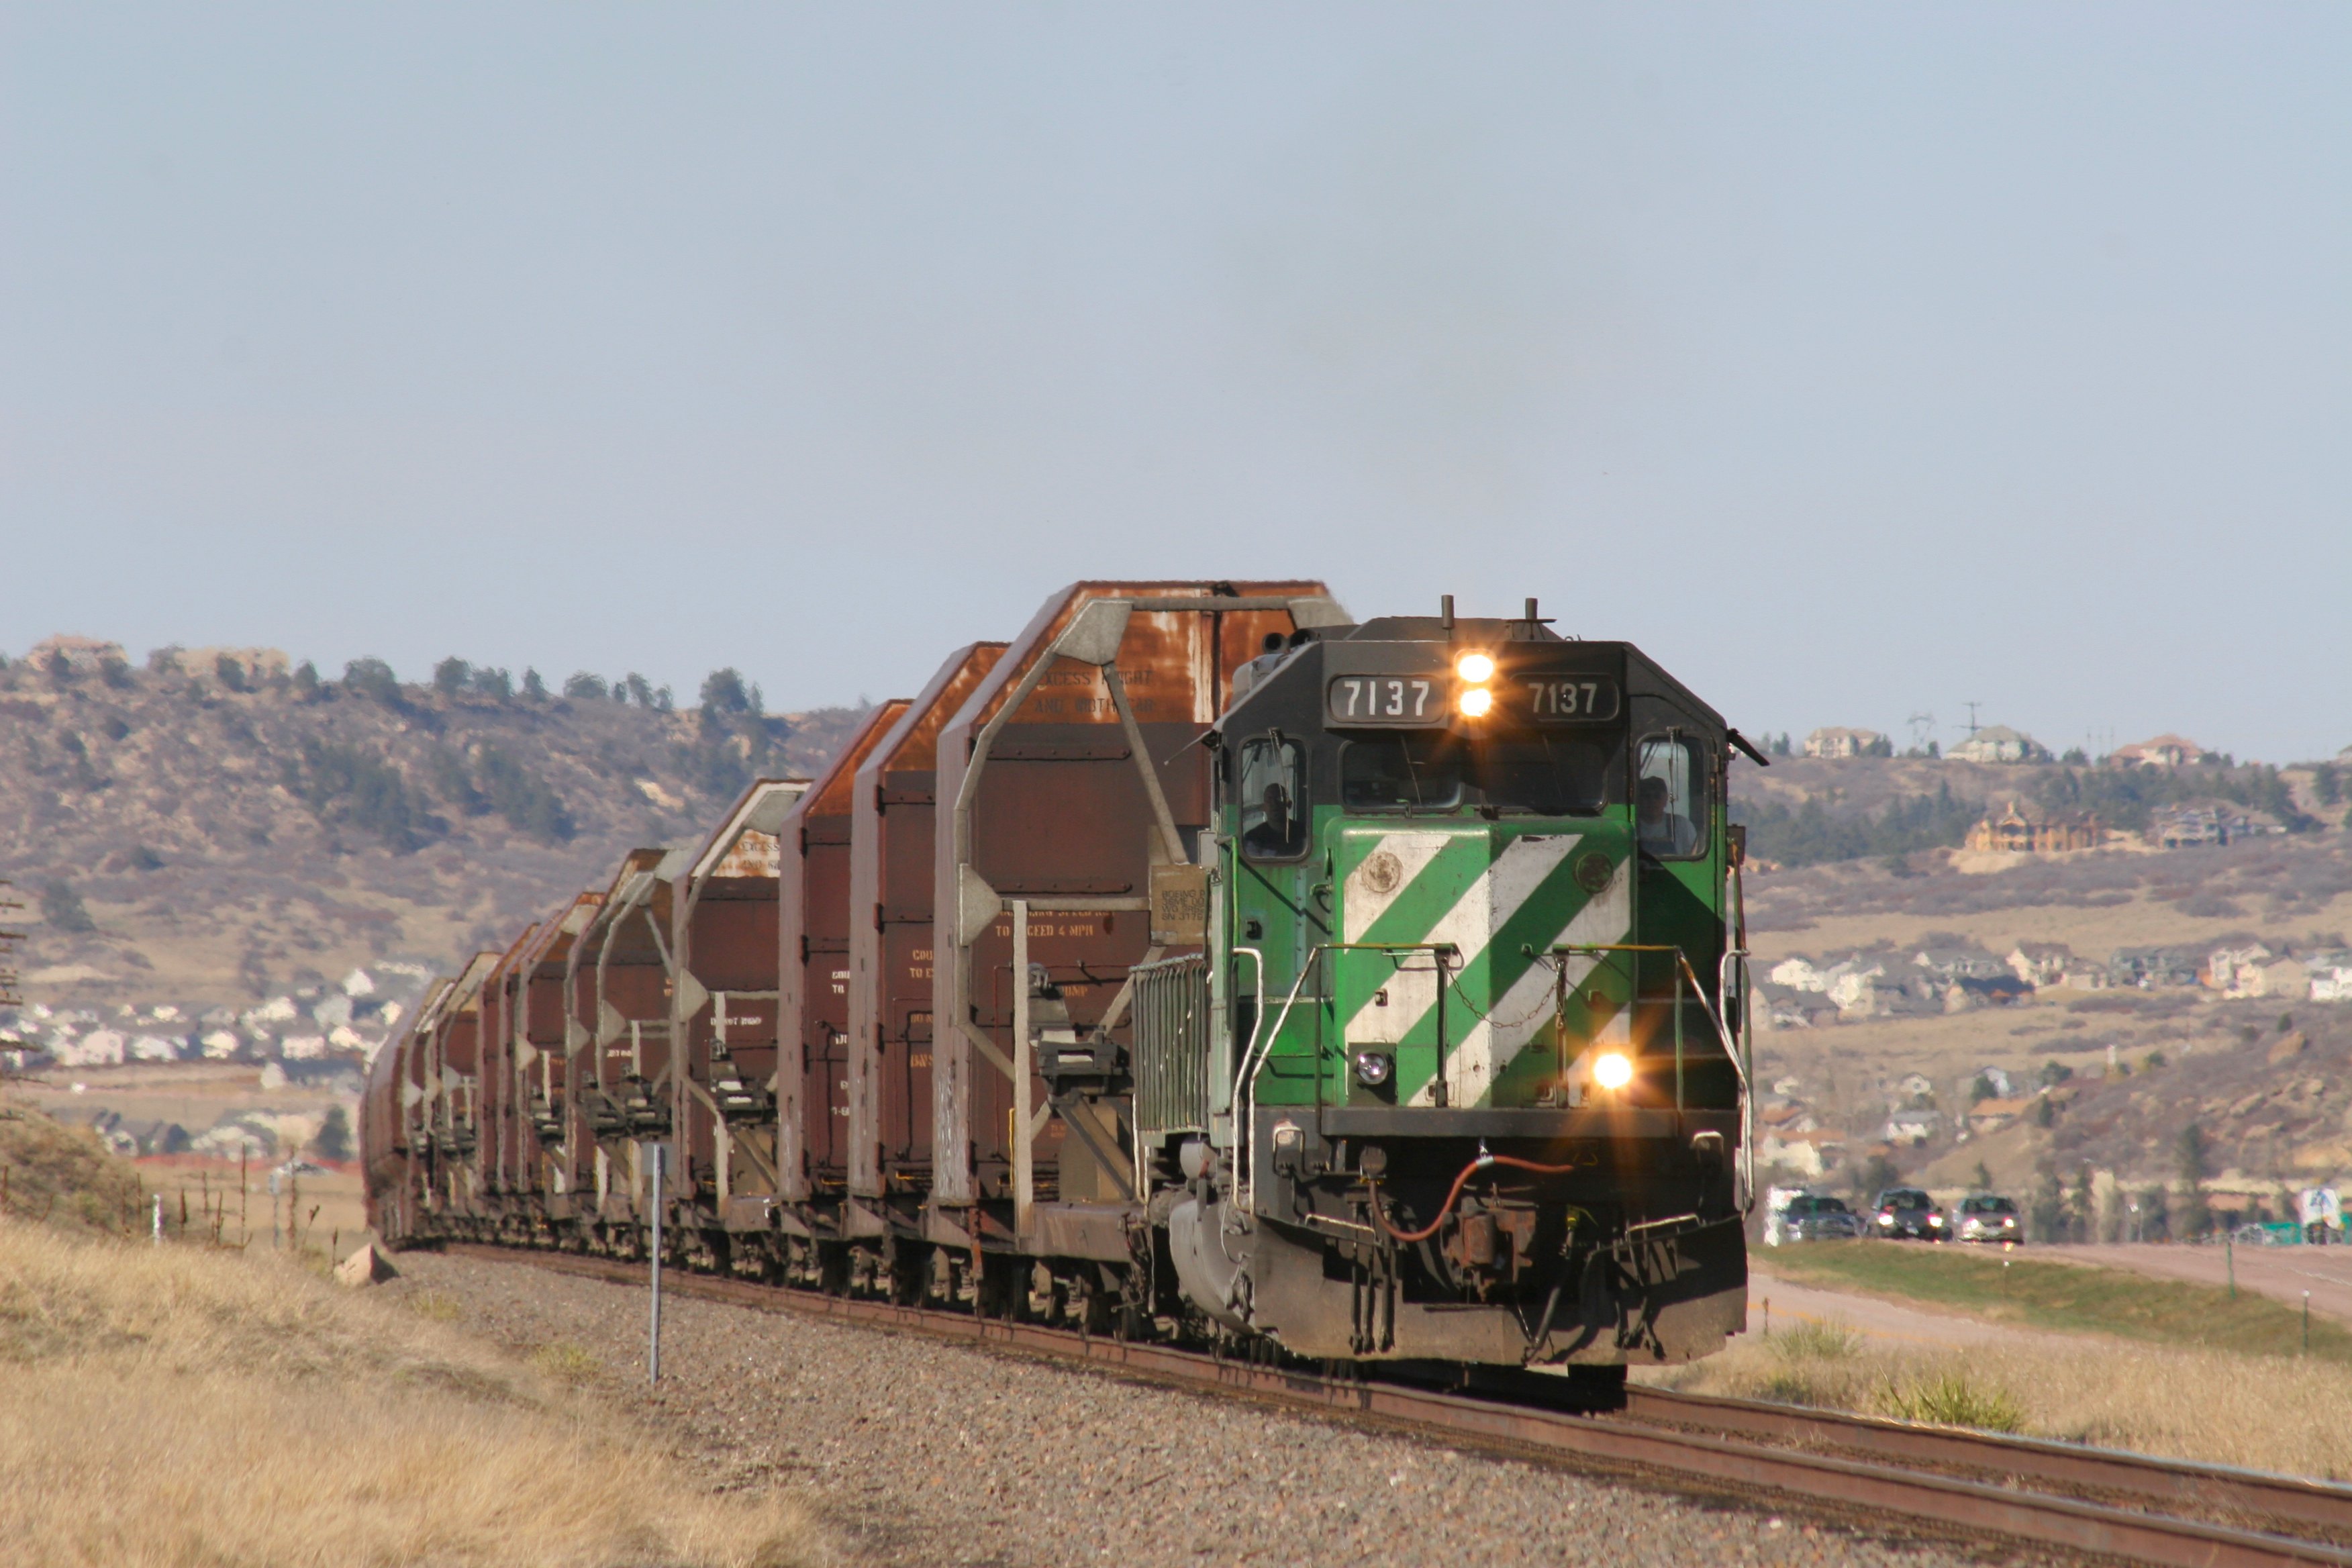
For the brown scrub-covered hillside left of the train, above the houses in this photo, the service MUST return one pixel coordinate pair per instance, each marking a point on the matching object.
(225, 833)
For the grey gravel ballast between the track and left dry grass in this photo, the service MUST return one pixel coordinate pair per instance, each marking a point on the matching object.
(914, 1452)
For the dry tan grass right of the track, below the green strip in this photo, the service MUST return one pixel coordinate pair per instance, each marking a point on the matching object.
(2193, 1405)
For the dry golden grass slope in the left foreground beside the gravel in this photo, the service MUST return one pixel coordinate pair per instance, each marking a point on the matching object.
(180, 1407)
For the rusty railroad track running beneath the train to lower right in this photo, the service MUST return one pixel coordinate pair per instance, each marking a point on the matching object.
(1951, 1482)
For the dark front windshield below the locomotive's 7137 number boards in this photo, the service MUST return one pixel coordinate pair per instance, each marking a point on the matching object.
(1523, 775)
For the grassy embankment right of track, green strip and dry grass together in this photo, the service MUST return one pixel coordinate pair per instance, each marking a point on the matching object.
(2160, 1367)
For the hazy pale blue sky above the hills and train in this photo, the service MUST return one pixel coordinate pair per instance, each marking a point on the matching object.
(1857, 361)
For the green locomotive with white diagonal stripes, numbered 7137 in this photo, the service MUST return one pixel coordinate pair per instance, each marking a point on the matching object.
(1459, 1073)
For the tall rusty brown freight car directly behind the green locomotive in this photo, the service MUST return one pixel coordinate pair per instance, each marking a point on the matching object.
(1071, 789)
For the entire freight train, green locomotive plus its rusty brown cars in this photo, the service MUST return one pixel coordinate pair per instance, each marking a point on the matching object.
(1196, 965)
